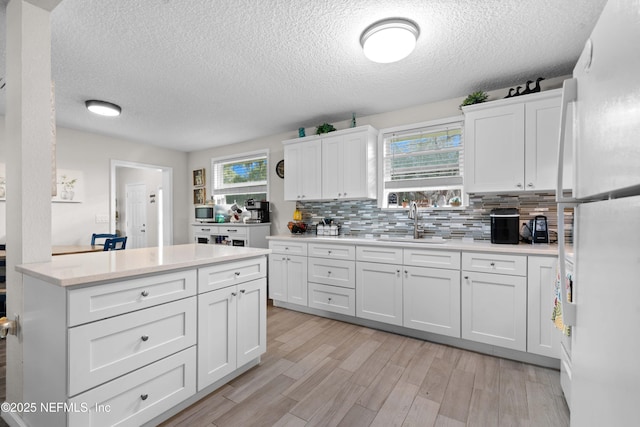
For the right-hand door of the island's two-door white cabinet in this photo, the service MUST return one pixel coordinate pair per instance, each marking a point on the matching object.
(252, 320)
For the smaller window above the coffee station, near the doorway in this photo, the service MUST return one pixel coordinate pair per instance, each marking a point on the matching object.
(238, 178)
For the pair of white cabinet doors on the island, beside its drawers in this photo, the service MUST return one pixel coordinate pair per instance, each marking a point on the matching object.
(232, 329)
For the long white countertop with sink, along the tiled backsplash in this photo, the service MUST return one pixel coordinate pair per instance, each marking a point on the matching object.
(445, 244)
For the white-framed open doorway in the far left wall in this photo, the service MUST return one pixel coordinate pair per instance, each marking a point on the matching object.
(157, 198)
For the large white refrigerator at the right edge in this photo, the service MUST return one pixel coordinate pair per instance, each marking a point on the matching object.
(604, 98)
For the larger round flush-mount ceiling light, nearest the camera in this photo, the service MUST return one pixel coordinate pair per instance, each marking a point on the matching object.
(389, 40)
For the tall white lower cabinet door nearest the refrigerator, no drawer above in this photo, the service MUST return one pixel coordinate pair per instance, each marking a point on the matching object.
(542, 336)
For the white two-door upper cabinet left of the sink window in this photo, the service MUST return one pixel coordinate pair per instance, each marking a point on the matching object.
(338, 165)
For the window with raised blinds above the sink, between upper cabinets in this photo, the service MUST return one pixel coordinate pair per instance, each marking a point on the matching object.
(424, 163)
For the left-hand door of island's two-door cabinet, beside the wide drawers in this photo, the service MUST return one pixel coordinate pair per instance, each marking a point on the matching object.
(217, 326)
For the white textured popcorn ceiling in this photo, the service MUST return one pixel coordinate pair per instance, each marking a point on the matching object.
(192, 74)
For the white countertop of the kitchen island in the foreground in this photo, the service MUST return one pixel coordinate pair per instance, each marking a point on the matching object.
(69, 270)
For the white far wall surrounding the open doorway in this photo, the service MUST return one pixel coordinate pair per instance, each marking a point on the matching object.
(73, 223)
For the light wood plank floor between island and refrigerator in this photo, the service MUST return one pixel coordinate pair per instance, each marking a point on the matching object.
(321, 372)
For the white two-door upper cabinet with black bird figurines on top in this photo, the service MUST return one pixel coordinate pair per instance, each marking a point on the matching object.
(511, 145)
